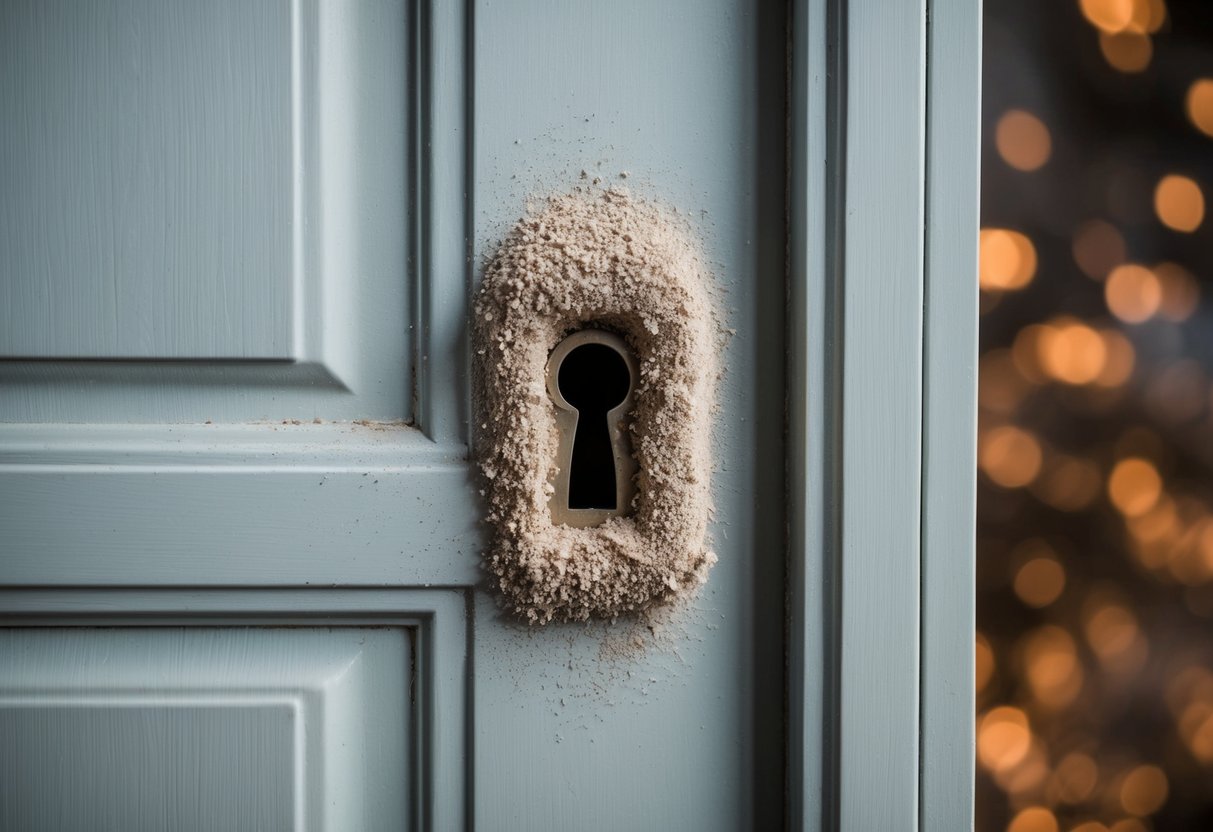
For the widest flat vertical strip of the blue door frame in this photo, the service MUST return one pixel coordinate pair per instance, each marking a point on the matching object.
(882, 415)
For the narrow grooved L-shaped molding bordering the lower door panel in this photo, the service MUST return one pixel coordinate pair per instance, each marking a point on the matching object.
(441, 617)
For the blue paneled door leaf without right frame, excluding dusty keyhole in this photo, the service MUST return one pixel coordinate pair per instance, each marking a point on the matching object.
(242, 531)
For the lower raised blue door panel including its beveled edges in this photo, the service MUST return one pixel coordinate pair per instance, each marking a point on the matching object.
(206, 728)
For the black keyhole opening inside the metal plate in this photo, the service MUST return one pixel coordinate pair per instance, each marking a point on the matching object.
(594, 379)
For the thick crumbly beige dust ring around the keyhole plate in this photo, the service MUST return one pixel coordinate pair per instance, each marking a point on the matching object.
(613, 261)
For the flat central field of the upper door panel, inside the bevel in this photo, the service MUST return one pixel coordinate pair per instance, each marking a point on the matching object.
(146, 161)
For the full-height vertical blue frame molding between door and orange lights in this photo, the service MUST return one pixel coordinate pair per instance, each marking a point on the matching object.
(882, 341)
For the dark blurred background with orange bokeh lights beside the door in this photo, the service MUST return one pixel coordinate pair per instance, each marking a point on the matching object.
(1095, 646)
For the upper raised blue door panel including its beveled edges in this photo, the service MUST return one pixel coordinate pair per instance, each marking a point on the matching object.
(252, 266)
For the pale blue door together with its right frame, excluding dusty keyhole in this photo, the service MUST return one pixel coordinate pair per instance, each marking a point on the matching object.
(241, 563)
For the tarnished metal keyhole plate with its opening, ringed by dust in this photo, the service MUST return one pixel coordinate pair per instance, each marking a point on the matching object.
(591, 378)
